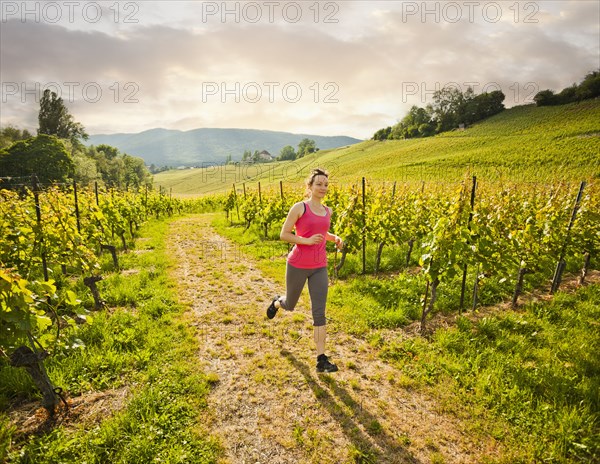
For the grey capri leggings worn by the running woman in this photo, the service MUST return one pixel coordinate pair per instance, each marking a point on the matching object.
(318, 283)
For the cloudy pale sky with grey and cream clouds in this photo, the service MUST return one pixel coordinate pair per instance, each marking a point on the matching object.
(324, 68)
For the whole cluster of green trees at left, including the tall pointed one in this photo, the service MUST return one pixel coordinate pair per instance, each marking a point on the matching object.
(56, 153)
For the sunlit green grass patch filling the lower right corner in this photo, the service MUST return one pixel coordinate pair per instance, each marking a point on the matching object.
(531, 378)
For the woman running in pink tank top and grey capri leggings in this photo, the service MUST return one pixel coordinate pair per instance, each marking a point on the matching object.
(308, 259)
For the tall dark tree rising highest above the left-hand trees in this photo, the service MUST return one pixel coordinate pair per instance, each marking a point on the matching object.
(54, 119)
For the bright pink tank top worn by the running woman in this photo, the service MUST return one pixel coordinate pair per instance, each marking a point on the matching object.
(310, 256)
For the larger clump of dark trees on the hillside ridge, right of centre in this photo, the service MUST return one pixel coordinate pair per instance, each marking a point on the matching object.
(450, 108)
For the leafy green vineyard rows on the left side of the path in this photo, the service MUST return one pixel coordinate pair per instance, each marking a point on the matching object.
(50, 235)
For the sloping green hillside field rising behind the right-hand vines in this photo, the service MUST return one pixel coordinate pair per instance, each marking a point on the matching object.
(524, 143)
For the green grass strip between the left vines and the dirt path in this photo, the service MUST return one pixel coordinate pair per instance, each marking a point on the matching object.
(142, 343)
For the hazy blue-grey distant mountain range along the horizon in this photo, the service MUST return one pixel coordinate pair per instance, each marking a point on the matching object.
(165, 147)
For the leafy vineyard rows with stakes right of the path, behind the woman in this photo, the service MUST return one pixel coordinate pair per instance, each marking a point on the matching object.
(502, 232)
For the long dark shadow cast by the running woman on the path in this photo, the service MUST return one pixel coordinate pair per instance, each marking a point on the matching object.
(371, 443)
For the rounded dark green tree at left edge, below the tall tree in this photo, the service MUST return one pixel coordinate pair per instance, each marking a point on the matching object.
(45, 156)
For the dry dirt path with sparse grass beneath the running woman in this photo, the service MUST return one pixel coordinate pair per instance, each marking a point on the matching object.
(269, 404)
